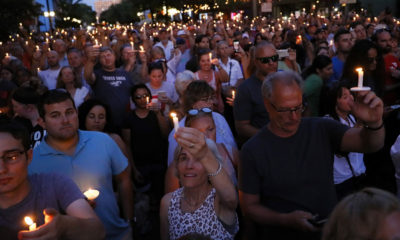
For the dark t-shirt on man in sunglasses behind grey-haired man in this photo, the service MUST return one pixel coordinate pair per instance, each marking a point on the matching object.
(249, 104)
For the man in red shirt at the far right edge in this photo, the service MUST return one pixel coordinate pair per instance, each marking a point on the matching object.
(392, 66)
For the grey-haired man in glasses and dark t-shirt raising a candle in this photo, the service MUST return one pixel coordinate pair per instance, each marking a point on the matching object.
(286, 170)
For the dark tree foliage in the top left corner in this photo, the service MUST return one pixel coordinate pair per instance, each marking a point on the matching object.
(13, 12)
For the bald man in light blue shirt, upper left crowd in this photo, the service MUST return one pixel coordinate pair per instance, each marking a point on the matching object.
(49, 76)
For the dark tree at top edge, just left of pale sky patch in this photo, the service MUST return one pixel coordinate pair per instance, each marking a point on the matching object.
(68, 12)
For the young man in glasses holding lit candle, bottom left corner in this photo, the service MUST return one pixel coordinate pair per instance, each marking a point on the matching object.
(40, 197)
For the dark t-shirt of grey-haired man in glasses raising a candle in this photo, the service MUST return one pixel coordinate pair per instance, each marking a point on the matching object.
(294, 173)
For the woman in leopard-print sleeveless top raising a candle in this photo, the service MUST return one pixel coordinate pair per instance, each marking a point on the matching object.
(206, 203)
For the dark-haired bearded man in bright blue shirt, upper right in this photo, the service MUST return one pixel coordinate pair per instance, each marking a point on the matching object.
(343, 46)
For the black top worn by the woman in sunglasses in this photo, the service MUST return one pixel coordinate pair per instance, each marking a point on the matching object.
(147, 144)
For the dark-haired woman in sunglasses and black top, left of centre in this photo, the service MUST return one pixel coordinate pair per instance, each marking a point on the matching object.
(145, 131)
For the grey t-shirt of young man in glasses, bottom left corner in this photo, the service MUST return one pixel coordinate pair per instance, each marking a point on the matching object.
(47, 191)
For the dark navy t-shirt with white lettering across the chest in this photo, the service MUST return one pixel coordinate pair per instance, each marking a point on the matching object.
(113, 88)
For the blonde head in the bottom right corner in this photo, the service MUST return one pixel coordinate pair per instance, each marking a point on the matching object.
(365, 215)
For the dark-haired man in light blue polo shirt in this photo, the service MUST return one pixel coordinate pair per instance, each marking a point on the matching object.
(91, 159)
